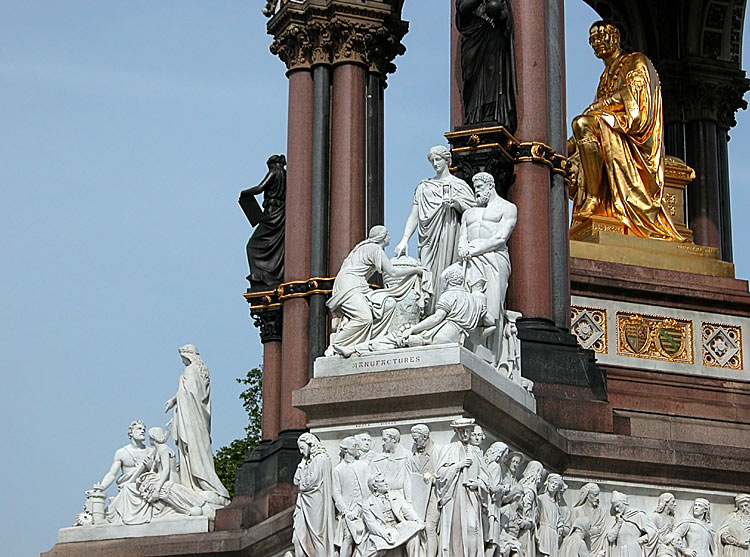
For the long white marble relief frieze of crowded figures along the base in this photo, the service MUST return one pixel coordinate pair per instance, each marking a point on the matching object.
(455, 500)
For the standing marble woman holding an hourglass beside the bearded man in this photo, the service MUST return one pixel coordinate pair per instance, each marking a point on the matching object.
(436, 215)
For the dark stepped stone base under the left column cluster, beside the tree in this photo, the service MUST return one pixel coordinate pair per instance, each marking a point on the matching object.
(263, 484)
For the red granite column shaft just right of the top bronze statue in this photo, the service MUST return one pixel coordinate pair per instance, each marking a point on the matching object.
(530, 290)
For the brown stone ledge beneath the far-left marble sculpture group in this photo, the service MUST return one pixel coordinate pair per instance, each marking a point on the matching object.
(270, 537)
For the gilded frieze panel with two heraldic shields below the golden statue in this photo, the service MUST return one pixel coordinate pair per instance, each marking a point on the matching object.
(654, 337)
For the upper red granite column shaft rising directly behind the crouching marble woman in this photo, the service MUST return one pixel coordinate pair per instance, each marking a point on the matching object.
(347, 161)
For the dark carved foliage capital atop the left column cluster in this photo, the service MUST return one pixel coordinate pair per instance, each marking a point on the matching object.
(338, 31)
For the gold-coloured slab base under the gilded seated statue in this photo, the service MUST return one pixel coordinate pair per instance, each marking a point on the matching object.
(609, 245)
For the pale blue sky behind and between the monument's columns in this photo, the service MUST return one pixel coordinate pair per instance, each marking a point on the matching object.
(129, 129)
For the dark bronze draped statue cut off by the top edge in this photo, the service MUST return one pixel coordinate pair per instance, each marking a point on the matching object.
(488, 68)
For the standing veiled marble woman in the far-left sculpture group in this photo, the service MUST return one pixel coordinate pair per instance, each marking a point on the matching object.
(191, 429)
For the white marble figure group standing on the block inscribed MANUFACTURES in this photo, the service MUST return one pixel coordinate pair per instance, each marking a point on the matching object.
(457, 284)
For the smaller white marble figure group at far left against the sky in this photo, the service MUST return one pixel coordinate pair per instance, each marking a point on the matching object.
(152, 483)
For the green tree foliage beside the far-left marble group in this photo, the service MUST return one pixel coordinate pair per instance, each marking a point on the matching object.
(231, 457)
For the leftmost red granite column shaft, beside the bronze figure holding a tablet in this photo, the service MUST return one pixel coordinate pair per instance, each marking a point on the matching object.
(294, 354)
